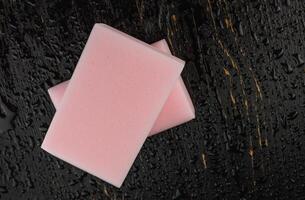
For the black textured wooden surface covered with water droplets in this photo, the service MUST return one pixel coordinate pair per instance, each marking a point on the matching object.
(245, 73)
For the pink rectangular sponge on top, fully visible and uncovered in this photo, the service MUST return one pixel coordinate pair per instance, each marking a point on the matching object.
(115, 95)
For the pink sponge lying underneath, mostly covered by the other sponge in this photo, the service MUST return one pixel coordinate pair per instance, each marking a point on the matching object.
(178, 108)
